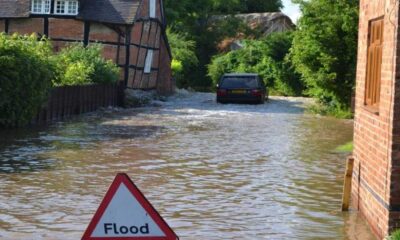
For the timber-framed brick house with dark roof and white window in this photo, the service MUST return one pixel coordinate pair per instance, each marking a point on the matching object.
(132, 32)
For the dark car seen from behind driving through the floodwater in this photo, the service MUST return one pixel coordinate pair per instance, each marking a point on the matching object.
(241, 88)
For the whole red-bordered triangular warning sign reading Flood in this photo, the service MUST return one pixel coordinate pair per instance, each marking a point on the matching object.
(125, 214)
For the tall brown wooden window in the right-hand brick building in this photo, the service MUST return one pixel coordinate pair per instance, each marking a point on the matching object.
(374, 64)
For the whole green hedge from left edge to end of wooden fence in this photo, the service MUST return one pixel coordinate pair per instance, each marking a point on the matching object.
(29, 69)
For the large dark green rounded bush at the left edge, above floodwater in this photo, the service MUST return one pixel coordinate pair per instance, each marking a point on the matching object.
(25, 79)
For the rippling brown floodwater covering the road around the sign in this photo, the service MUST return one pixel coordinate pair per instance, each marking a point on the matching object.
(213, 171)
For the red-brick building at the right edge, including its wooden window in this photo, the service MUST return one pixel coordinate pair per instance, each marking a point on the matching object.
(376, 175)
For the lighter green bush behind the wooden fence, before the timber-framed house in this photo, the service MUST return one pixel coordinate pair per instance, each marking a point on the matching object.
(79, 65)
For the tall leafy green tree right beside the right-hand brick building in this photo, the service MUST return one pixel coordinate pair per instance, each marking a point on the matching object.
(325, 49)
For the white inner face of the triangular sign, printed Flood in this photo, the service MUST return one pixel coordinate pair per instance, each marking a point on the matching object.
(125, 217)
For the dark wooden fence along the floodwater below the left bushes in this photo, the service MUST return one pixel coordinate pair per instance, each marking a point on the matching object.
(63, 102)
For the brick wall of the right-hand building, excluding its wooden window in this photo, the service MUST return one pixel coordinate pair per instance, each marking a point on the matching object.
(373, 187)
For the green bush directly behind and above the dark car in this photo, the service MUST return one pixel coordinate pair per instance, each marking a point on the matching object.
(267, 57)
